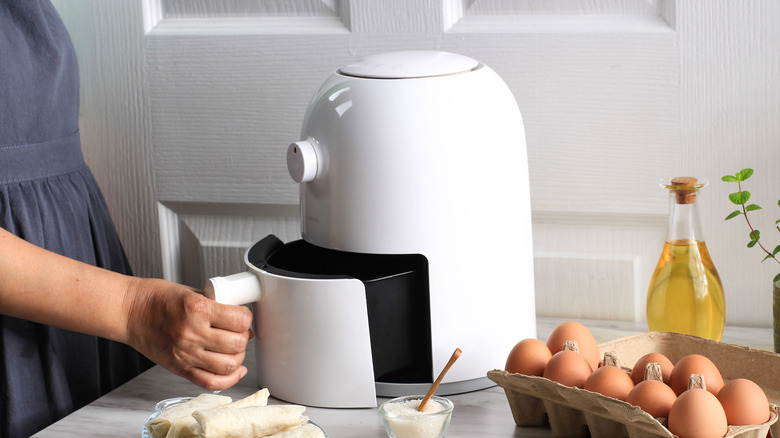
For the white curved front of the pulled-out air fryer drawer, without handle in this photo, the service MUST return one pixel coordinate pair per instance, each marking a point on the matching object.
(299, 364)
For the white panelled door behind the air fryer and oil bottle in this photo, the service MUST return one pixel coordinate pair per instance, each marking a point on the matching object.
(188, 107)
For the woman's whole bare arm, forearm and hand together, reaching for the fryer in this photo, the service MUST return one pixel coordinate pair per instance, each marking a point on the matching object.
(171, 324)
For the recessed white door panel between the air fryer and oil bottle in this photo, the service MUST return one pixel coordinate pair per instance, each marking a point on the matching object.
(595, 265)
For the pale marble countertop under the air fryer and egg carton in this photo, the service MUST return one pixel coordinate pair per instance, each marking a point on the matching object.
(122, 412)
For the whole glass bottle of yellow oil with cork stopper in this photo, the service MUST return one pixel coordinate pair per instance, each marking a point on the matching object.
(685, 293)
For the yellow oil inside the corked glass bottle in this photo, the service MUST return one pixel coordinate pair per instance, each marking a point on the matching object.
(685, 293)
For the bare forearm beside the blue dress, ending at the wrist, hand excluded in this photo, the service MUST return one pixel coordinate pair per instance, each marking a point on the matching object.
(41, 286)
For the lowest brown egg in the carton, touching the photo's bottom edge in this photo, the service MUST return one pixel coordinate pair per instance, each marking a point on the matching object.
(697, 414)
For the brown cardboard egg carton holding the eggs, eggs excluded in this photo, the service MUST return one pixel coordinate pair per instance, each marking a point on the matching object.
(574, 412)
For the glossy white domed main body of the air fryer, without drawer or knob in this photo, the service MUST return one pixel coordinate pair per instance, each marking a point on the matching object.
(424, 152)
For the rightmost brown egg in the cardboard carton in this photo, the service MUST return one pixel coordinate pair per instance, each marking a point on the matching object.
(744, 402)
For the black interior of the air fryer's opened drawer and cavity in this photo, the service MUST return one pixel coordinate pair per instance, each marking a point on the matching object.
(397, 298)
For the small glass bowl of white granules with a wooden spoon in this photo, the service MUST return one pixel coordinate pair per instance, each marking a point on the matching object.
(402, 420)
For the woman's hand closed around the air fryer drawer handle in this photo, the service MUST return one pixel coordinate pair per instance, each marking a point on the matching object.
(188, 334)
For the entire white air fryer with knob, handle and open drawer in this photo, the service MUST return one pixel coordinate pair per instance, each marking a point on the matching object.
(416, 226)
